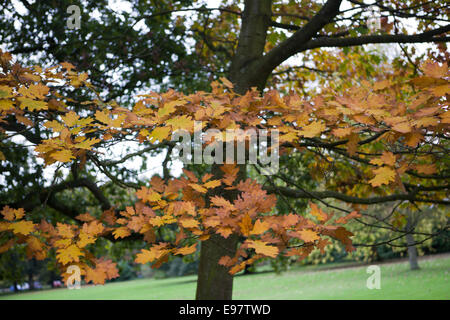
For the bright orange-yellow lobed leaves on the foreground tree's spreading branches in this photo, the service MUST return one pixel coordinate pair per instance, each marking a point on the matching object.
(186, 202)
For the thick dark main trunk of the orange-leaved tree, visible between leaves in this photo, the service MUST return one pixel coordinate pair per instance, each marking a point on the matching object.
(214, 281)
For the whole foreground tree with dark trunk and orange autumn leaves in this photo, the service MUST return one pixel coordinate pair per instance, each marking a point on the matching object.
(380, 136)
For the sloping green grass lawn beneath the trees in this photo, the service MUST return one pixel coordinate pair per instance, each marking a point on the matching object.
(397, 282)
